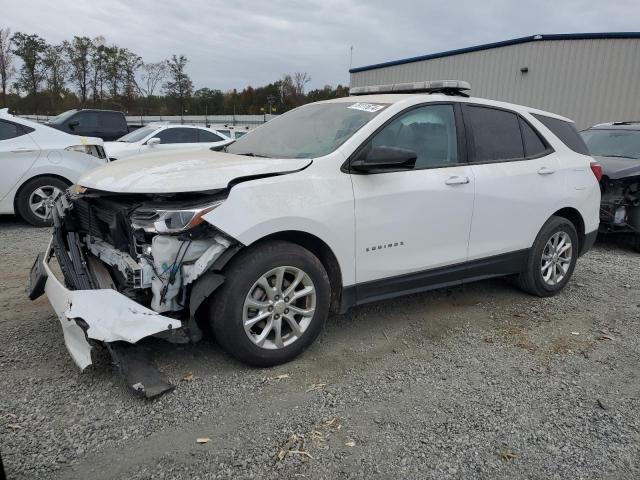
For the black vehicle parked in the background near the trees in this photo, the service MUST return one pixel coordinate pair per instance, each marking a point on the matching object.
(104, 124)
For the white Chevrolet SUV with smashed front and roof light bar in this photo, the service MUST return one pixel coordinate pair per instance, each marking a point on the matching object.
(334, 204)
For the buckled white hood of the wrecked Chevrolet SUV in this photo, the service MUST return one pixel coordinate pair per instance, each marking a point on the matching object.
(183, 171)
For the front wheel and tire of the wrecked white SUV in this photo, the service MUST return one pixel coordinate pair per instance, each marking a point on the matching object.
(232, 314)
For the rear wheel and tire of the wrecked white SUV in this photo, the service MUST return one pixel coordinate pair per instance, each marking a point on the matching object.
(532, 279)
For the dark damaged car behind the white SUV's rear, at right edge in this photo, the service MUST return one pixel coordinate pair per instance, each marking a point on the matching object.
(616, 146)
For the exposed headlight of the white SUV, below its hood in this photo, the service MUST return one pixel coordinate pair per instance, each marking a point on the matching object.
(171, 221)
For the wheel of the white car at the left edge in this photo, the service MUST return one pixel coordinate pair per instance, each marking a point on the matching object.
(36, 191)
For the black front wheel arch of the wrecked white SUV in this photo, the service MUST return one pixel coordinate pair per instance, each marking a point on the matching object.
(321, 250)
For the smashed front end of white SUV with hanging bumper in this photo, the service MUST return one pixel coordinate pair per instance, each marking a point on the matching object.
(123, 267)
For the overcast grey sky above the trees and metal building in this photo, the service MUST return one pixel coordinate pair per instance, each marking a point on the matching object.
(235, 44)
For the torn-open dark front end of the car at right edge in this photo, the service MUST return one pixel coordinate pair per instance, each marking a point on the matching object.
(620, 205)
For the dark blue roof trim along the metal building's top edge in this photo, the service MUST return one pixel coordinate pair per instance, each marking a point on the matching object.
(504, 43)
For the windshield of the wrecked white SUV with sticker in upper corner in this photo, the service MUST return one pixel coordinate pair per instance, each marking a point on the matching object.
(307, 132)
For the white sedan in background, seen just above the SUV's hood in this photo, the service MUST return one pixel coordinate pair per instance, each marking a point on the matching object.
(161, 137)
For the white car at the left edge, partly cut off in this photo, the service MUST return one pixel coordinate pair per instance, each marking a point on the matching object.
(37, 163)
